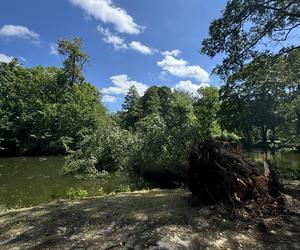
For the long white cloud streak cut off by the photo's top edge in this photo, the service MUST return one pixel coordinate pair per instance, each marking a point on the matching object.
(107, 12)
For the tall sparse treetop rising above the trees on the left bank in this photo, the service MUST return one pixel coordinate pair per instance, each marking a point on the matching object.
(75, 61)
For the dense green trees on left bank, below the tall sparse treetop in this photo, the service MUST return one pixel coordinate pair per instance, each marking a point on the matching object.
(41, 113)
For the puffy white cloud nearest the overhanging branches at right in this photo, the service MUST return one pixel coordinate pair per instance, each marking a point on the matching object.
(181, 68)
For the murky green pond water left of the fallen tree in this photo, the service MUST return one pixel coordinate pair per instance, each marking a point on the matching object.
(30, 181)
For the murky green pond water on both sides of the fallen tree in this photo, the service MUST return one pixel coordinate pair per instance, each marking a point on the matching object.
(27, 181)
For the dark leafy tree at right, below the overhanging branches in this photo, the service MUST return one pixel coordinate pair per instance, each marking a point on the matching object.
(259, 96)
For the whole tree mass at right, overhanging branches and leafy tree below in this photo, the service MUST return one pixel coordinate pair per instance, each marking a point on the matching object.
(259, 42)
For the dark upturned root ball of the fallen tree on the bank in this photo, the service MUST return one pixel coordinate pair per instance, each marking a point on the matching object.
(218, 174)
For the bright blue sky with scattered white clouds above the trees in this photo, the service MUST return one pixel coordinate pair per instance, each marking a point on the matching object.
(130, 42)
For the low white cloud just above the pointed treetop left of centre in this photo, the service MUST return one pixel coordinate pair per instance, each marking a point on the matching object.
(121, 85)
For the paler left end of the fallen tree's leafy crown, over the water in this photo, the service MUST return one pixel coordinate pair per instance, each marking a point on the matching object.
(108, 149)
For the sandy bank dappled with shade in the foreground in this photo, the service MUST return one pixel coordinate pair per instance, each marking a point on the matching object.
(156, 219)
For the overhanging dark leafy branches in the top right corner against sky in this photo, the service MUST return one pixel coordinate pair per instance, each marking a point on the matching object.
(247, 24)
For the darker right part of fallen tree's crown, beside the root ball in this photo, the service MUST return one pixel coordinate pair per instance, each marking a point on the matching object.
(164, 151)
